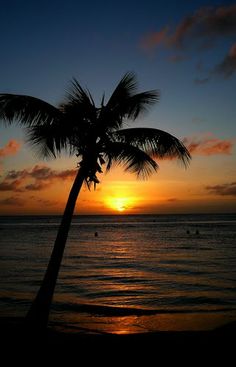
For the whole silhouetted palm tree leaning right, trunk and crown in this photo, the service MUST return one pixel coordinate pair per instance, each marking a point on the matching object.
(97, 137)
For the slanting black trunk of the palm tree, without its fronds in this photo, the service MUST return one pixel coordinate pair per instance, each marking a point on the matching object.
(38, 314)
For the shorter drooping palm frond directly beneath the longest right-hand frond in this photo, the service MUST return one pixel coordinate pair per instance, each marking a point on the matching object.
(132, 158)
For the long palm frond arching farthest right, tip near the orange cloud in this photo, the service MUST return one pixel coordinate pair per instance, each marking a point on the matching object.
(157, 143)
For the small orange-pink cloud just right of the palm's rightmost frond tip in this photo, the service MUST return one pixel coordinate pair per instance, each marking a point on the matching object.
(208, 145)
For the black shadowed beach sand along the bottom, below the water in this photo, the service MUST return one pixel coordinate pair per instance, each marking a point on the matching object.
(176, 346)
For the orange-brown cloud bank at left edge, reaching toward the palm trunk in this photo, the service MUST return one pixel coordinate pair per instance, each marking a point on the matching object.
(38, 178)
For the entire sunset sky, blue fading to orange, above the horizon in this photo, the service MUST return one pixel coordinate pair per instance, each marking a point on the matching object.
(185, 49)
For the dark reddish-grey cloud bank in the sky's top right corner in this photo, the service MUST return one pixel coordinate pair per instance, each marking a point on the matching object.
(199, 31)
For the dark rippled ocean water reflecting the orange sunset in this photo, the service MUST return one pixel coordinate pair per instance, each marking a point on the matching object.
(140, 273)
